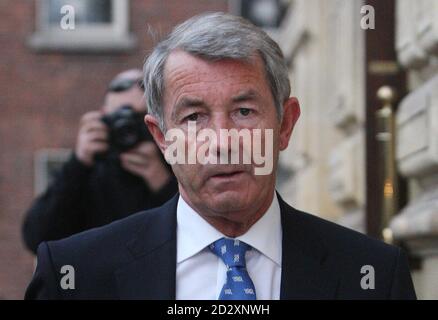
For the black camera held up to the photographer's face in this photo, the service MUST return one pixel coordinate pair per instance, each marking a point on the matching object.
(126, 129)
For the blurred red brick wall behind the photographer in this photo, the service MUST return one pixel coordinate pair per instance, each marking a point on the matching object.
(41, 99)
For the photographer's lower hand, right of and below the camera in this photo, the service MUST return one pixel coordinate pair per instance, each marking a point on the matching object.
(144, 161)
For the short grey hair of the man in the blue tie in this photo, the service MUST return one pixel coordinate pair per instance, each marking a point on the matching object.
(213, 37)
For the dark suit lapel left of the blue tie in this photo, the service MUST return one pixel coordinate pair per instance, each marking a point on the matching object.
(152, 272)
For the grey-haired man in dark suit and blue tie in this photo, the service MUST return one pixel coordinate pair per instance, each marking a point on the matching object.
(227, 234)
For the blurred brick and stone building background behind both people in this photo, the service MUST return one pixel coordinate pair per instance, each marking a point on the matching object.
(365, 150)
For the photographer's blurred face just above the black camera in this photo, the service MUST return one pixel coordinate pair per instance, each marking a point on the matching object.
(132, 97)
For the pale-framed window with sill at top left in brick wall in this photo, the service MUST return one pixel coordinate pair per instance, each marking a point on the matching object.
(82, 25)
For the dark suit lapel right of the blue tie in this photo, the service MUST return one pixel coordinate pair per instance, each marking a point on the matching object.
(306, 271)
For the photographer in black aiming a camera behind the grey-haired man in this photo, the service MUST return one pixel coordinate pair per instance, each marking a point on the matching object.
(116, 169)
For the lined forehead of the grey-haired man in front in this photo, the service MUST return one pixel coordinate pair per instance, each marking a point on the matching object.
(191, 80)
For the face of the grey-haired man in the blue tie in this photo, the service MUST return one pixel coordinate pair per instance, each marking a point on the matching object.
(226, 94)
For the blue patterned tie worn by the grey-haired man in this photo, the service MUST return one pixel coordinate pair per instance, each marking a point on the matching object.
(239, 285)
